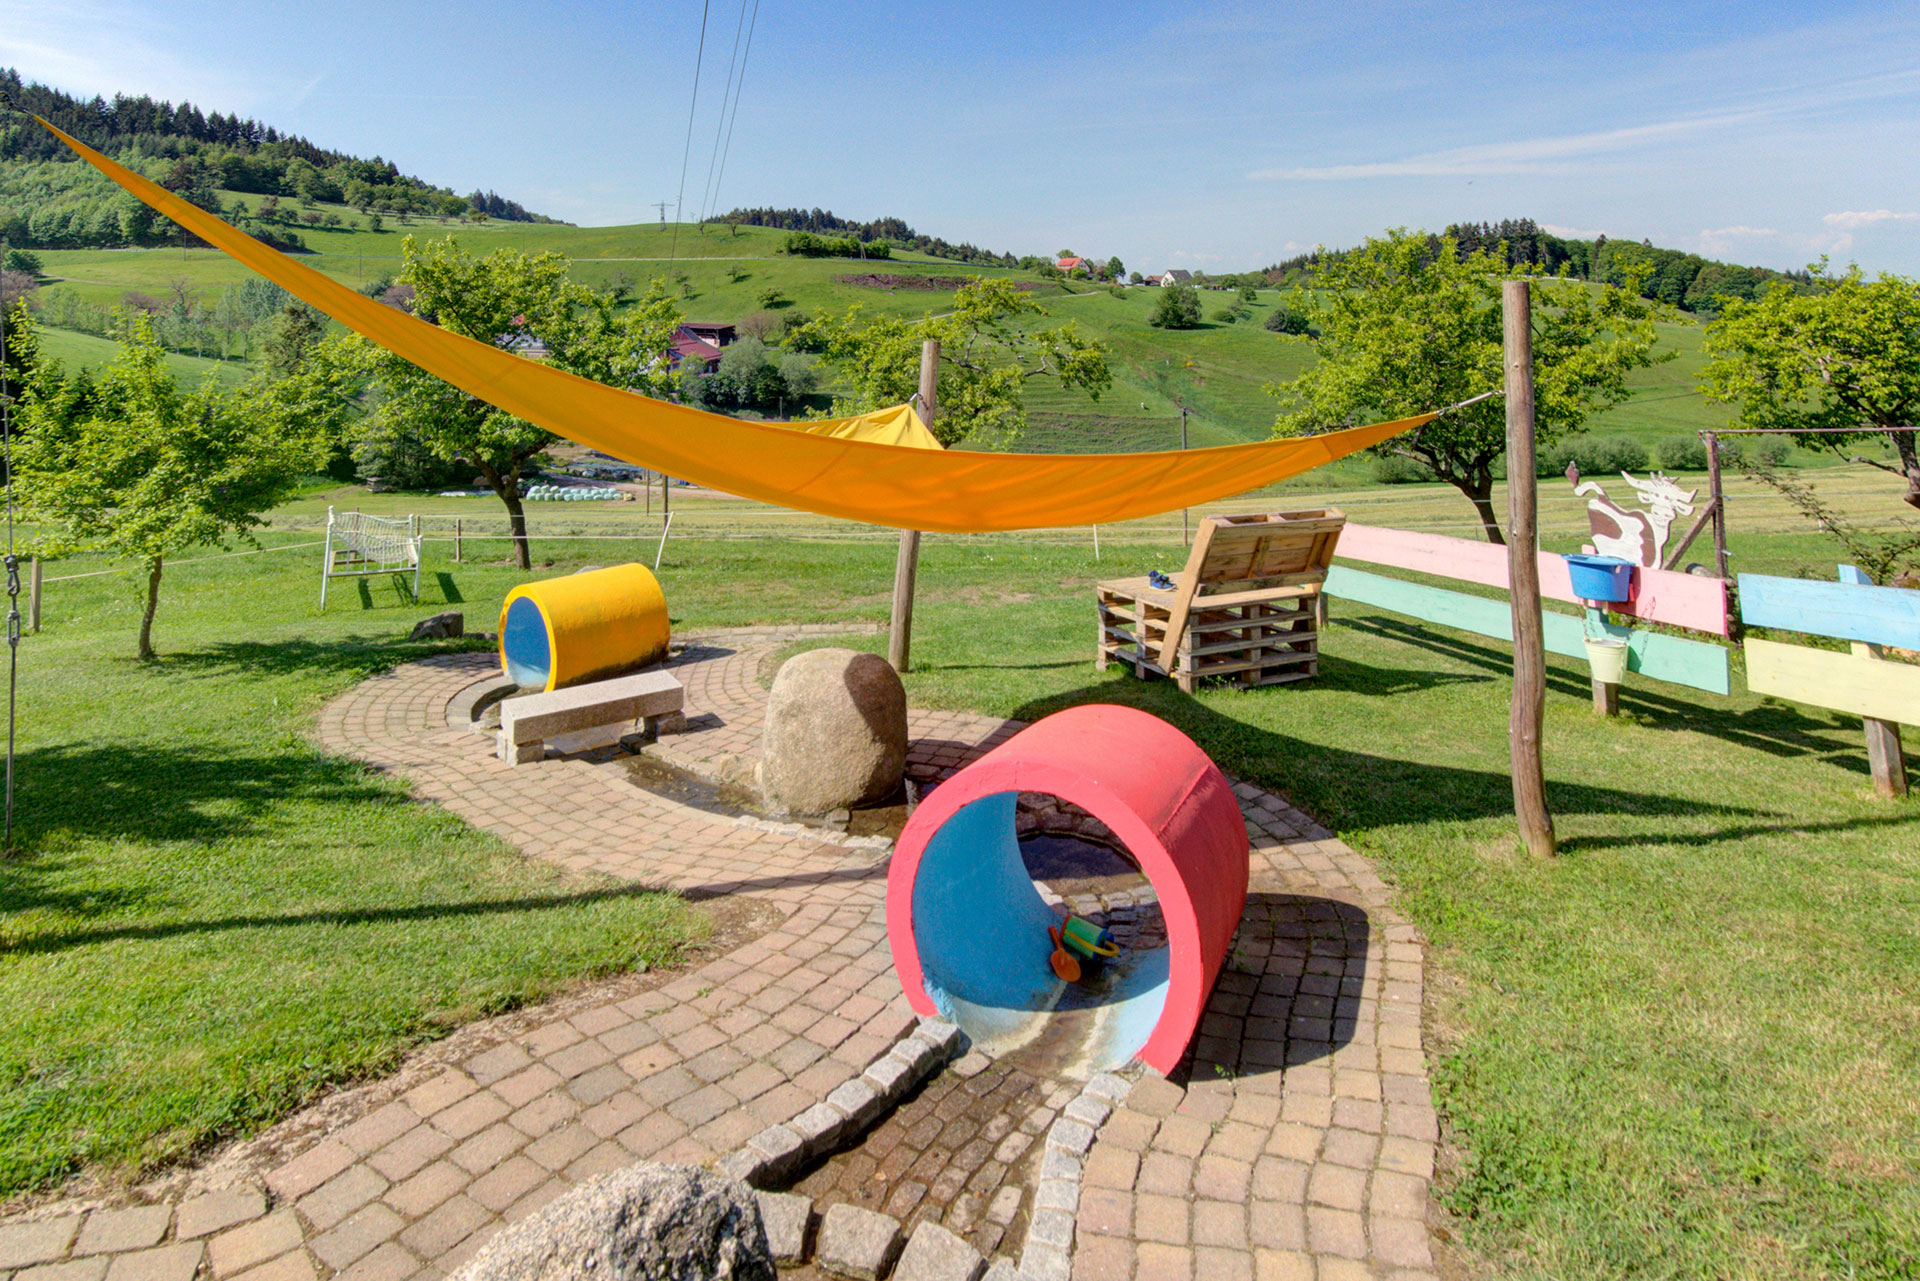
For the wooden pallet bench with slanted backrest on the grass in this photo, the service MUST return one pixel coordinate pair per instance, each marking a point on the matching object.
(1249, 606)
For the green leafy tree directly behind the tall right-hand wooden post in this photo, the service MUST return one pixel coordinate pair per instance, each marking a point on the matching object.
(1408, 327)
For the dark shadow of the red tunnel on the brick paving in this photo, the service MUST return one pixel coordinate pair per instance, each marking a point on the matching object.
(1289, 994)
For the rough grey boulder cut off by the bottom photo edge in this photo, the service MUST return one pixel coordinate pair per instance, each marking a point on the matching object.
(638, 1224)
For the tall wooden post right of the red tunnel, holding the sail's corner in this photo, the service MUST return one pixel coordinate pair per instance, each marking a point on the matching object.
(1524, 571)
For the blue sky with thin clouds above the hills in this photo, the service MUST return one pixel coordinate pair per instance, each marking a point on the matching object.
(1224, 135)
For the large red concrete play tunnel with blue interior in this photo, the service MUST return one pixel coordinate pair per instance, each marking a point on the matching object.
(974, 942)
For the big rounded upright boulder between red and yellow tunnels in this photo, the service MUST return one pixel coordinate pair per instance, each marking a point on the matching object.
(836, 733)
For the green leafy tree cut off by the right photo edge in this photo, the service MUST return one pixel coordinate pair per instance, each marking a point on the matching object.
(1844, 356)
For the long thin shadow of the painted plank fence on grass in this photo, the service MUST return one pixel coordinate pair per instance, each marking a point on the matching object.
(1773, 731)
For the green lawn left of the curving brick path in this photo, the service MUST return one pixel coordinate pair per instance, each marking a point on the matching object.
(210, 919)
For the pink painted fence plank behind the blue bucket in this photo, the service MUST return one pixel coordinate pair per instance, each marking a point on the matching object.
(1666, 596)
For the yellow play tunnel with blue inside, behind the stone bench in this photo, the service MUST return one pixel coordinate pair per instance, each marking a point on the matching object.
(569, 631)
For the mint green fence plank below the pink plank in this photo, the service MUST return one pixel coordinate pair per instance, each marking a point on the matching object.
(1658, 658)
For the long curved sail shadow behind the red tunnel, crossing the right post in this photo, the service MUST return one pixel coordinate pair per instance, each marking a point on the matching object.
(1358, 790)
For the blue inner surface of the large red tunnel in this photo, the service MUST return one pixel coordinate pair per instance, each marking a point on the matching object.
(982, 932)
